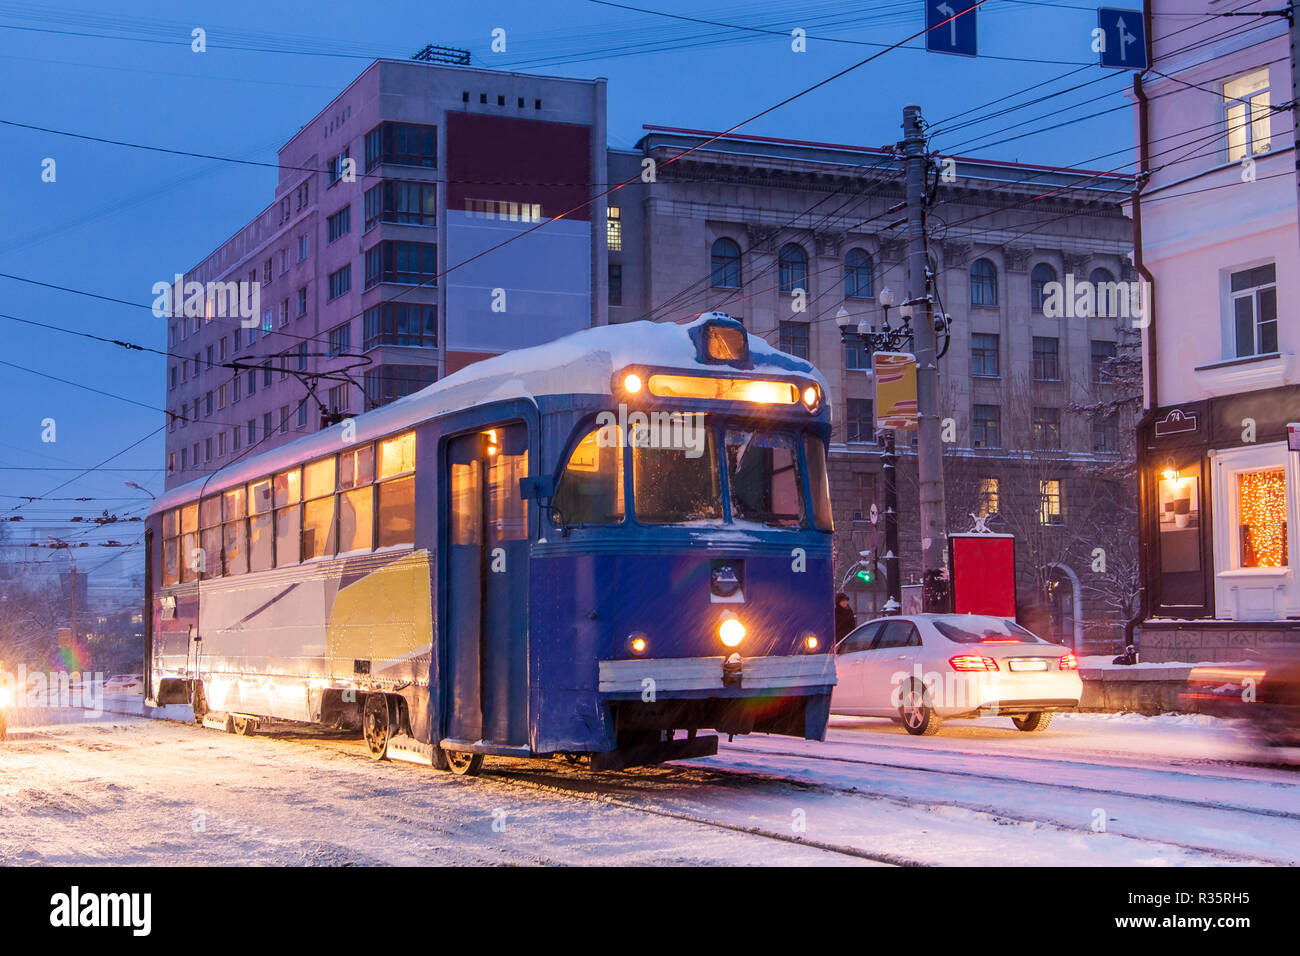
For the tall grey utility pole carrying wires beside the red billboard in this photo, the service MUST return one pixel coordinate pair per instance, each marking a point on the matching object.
(930, 461)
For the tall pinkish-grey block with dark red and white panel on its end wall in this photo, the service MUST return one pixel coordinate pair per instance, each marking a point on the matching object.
(413, 171)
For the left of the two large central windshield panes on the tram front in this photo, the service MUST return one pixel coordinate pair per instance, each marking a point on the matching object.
(677, 486)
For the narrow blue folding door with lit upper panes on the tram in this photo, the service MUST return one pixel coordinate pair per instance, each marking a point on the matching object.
(488, 587)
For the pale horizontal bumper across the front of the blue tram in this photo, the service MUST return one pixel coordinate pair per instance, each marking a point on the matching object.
(695, 677)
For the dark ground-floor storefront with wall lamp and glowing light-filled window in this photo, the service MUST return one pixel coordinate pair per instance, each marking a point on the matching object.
(1219, 503)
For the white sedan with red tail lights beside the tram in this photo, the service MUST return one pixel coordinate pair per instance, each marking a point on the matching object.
(925, 669)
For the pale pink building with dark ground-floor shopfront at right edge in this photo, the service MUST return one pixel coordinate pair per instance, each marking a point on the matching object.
(1220, 245)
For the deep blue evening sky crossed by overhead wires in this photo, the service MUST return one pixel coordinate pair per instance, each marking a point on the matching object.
(119, 219)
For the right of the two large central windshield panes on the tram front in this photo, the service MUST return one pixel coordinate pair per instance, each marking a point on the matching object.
(765, 481)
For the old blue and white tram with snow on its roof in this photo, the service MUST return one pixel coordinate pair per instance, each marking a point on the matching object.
(595, 548)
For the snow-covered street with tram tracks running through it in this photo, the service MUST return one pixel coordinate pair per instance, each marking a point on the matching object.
(1115, 790)
